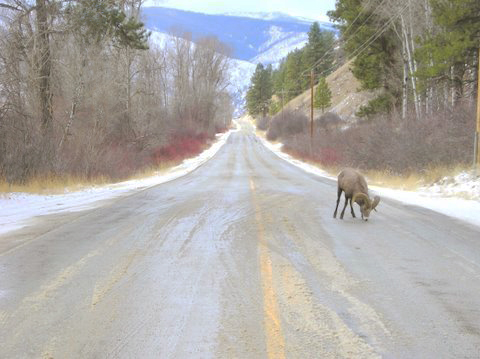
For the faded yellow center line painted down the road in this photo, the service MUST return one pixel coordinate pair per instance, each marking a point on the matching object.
(274, 337)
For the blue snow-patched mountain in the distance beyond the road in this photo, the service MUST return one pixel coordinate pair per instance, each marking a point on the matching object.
(253, 37)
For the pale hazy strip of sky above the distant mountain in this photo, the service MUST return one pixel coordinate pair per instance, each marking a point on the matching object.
(314, 9)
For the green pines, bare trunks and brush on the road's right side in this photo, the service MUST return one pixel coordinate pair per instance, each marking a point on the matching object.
(418, 59)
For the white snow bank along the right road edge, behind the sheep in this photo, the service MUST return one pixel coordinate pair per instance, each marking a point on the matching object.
(437, 197)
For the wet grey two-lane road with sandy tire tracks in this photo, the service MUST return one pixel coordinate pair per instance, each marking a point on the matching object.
(240, 259)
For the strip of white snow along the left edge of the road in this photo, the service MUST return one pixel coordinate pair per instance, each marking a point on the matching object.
(17, 208)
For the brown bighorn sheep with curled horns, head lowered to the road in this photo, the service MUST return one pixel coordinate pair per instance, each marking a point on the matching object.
(356, 190)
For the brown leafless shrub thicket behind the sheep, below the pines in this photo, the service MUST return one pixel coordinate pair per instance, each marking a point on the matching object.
(393, 145)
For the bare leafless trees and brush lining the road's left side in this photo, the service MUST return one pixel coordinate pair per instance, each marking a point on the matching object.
(84, 94)
